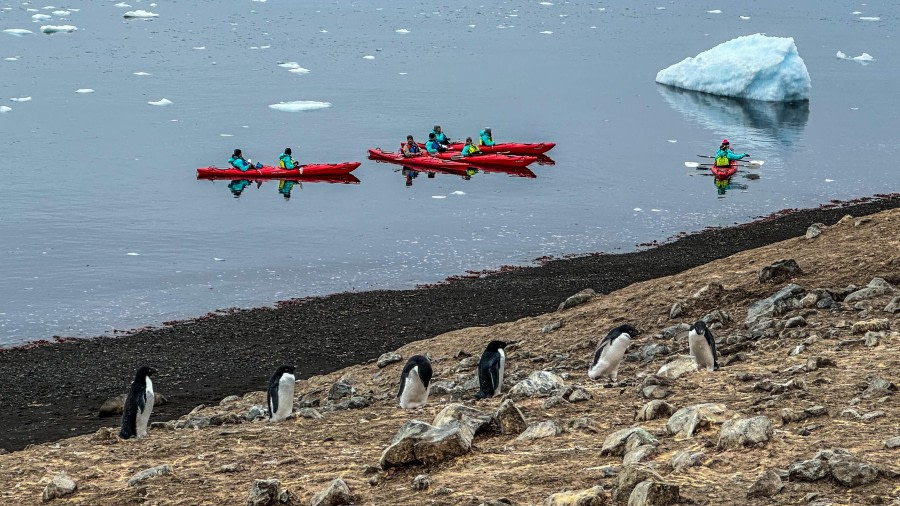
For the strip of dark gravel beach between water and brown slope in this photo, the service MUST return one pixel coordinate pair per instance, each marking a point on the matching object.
(54, 390)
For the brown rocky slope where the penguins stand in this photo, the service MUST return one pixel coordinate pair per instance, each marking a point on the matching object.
(803, 410)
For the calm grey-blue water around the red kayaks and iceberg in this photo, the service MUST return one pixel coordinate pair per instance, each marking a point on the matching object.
(104, 226)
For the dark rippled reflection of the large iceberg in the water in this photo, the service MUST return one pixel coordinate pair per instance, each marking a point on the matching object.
(756, 124)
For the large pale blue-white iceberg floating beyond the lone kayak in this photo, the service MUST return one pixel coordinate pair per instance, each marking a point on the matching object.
(755, 67)
